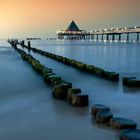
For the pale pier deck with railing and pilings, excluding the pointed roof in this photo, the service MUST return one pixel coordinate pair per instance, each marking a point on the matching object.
(105, 32)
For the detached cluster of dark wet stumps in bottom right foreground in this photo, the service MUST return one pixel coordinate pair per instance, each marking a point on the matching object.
(102, 115)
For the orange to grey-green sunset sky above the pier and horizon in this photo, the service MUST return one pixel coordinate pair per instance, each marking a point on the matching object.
(42, 18)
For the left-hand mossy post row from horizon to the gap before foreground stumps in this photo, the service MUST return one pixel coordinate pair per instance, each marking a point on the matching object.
(61, 89)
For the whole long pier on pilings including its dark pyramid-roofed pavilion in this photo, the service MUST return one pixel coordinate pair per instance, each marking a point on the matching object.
(74, 33)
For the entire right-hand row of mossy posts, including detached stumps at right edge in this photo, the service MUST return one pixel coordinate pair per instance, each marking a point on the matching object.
(130, 82)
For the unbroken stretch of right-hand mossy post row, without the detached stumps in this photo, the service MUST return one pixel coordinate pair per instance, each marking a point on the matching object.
(111, 76)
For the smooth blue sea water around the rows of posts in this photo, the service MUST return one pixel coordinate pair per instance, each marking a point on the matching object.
(27, 109)
